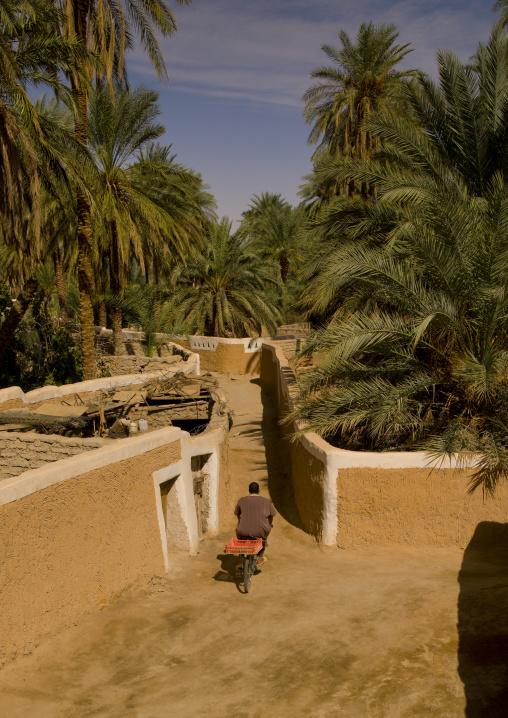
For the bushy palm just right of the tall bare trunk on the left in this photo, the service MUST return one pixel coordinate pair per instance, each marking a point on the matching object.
(133, 206)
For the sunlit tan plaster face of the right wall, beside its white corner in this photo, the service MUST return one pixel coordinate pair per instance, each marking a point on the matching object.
(419, 507)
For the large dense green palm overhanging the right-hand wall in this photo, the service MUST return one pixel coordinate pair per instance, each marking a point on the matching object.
(417, 355)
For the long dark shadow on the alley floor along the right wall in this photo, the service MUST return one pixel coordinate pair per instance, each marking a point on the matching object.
(277, 461)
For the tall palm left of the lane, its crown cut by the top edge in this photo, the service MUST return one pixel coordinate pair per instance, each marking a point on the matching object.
(105, 26)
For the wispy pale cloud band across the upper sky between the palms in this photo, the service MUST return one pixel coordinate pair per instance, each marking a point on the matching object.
(263, 51)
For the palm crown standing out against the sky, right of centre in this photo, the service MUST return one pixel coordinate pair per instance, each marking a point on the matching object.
(362, 80)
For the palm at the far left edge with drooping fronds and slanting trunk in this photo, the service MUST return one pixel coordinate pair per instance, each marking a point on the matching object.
(35, 148)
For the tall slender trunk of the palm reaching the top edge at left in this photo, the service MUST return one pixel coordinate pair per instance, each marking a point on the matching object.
(85, 271)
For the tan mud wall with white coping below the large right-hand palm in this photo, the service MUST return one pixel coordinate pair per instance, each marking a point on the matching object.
(360, 499)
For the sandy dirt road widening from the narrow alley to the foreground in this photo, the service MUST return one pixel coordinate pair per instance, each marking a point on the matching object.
(324, 633)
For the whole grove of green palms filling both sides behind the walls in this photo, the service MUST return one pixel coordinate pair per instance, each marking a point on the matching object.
(398, 253)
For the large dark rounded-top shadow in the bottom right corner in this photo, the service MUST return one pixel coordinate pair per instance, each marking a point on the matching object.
(483, 622)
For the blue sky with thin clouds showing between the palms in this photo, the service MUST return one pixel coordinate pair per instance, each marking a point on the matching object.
(238, 69)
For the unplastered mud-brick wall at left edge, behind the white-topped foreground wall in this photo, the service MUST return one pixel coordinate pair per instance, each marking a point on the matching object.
(21, 451)
